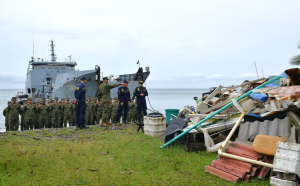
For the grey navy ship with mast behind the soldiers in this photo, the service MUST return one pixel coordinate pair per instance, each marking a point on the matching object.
(53, 77)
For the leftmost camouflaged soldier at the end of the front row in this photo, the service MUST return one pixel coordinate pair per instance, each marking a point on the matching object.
(13, 110)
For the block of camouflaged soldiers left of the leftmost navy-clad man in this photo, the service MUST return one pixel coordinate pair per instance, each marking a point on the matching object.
(39, 115)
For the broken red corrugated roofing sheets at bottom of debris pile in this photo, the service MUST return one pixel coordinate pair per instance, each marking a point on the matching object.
(233, 170)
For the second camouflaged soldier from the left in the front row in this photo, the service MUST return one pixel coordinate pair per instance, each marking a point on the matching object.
(30, 117)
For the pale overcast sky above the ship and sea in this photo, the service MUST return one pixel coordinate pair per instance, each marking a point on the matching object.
(186, 44)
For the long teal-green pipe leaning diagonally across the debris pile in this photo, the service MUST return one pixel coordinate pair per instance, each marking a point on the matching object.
(218, 111)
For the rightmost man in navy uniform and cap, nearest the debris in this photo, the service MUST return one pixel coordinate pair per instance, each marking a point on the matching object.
(140, 92)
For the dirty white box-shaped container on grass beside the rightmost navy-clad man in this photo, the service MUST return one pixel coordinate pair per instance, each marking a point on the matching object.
(154, 126)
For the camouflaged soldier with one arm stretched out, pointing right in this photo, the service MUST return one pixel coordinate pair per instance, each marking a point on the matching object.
(104, 93)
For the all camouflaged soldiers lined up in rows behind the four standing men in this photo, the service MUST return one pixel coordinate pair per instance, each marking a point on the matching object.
(57, 114)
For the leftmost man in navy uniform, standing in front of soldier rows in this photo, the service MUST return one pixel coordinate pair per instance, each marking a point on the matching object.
(80, 103)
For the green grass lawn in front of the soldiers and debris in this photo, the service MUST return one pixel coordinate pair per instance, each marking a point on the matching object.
(101, 157)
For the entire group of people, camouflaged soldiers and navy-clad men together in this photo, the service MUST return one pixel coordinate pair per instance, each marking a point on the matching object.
(82, 111)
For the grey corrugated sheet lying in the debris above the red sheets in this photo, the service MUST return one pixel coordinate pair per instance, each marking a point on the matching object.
(277, 127)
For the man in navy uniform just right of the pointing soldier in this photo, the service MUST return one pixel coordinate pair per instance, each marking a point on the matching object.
(124, 98)
